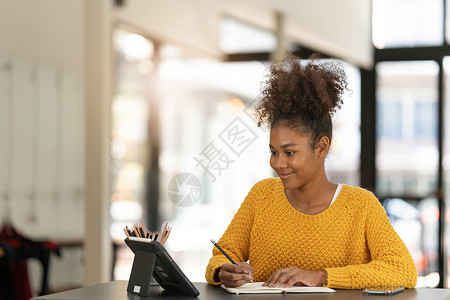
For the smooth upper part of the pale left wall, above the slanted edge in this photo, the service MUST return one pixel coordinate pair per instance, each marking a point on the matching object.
(49, 31)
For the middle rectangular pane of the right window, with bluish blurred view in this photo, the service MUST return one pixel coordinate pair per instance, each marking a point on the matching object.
(407, 128)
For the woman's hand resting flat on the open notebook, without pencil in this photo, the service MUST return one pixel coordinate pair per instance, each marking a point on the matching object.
(295, 276)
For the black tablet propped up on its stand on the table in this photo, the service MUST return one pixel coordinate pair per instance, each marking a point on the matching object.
(152, 259)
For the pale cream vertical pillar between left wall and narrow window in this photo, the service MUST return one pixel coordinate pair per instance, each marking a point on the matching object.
(97, 241)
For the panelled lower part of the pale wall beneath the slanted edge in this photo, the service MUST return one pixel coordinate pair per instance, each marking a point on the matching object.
(42, 147)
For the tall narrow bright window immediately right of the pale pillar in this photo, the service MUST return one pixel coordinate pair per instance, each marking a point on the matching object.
(131, 111)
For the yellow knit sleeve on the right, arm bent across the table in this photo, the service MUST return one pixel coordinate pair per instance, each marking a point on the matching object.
(391, 263)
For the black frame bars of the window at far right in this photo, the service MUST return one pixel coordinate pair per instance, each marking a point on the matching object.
(368, 151)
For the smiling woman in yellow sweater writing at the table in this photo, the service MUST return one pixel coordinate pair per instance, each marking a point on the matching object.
(302, 229)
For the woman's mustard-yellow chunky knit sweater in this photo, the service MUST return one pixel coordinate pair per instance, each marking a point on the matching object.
(352, 240)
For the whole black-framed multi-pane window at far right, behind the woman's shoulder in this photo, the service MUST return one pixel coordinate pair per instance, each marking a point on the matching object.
(412, 124)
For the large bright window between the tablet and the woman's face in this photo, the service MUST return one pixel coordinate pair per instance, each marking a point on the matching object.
(201, 102)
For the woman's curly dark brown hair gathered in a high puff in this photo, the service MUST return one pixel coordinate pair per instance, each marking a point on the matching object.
(302, 95)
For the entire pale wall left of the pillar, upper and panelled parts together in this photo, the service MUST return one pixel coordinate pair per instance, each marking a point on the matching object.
(42, 127)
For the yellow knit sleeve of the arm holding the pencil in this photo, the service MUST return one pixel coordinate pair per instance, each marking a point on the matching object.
(236, 239)
